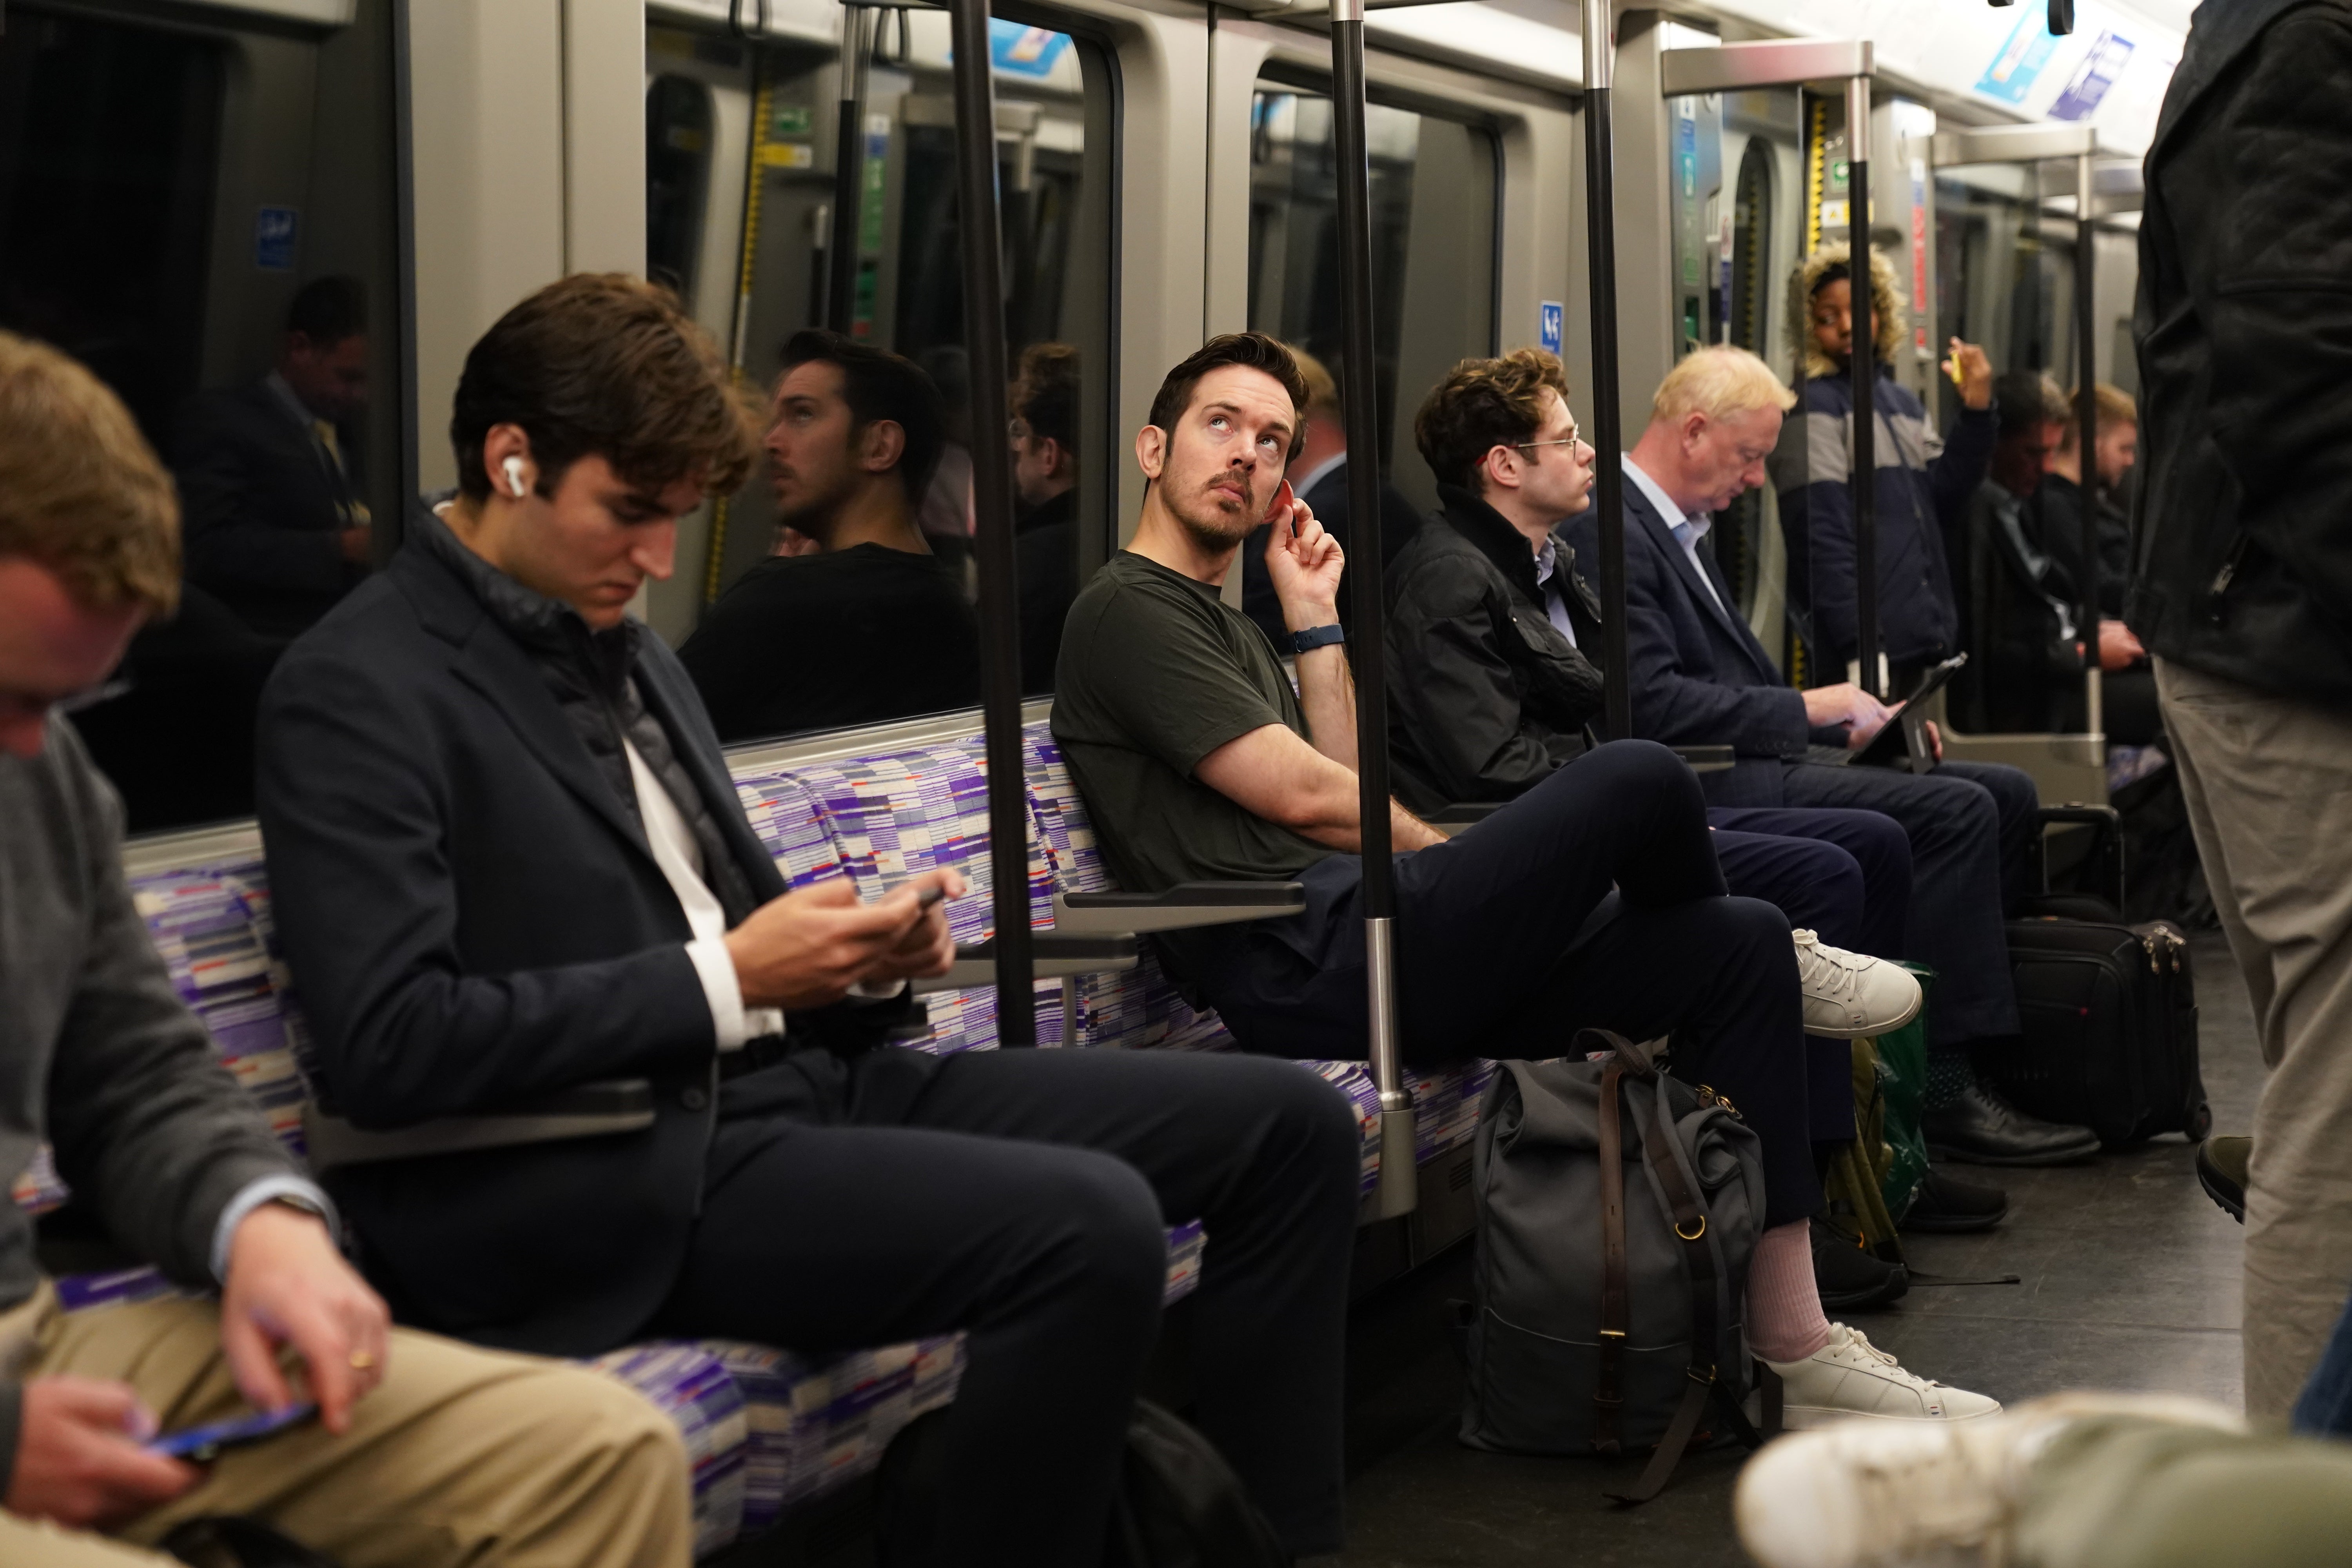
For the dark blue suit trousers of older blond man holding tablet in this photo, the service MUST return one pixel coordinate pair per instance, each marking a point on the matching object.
(1970, 829)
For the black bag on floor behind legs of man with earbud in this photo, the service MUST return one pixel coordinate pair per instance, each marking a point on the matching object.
(1180, 1503)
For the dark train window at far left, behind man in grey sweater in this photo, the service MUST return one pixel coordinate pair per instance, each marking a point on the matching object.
(206, 217)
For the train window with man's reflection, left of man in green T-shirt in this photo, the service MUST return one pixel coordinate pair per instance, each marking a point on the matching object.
(831, 594)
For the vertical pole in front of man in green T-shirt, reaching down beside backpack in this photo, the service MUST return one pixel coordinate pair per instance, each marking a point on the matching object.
(1361, 410)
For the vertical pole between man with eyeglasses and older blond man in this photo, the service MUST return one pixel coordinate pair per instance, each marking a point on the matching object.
(1608, 424)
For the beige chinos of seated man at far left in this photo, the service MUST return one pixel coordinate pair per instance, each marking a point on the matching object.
(457, 1459)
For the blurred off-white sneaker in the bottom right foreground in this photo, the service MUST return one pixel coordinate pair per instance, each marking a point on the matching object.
(1916, 1494)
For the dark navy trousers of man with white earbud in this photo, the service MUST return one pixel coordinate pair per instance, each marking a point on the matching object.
(1022, 1198)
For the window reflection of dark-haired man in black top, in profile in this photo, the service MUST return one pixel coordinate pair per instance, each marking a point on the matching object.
(874, 626)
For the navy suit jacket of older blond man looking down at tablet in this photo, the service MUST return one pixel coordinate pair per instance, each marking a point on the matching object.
(1695, 671)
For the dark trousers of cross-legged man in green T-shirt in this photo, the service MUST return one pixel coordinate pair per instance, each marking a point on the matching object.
(1499, 951)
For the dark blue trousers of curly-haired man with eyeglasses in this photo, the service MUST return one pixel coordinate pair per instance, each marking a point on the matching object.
(1847, 878)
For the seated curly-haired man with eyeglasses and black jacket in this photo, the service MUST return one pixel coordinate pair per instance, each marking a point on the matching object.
(1495, 683)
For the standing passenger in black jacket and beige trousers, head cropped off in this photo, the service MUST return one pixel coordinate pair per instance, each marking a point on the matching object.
(2243, 591)
